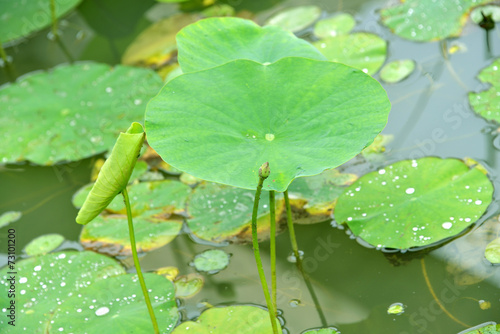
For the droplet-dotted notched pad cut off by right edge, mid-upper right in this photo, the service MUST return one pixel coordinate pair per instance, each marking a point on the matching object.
(487, 103)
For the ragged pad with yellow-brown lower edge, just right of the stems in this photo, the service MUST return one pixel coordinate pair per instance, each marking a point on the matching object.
(318, 195)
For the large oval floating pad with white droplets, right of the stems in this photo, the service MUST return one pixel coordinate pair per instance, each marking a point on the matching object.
(414, 202)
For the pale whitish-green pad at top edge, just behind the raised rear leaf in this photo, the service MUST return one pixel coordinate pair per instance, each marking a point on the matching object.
(295, 19)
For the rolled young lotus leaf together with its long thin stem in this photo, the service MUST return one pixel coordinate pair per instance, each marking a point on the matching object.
(113, 179)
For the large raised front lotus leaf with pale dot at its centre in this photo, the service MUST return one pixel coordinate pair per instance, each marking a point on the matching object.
(301, 115)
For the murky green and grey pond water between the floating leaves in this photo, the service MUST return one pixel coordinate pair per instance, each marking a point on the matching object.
(355, 284)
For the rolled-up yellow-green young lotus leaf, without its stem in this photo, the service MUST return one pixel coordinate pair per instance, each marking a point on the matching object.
(114, 174)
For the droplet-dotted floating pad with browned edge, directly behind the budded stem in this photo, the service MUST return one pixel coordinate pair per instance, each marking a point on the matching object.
(221, 213)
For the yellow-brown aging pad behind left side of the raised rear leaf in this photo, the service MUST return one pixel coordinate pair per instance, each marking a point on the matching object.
(155, 47)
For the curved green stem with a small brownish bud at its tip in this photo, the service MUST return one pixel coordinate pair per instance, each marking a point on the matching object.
(255, 242)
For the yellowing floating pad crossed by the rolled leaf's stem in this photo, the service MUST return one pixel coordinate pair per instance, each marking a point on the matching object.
(153, 207)
